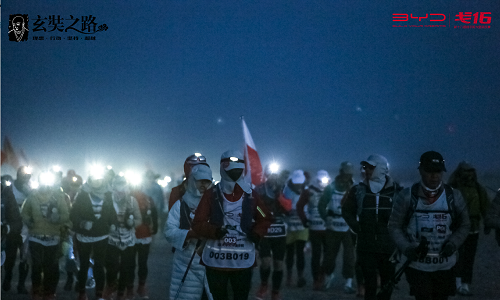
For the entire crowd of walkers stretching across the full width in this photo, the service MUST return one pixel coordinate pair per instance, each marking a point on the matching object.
(220, 232)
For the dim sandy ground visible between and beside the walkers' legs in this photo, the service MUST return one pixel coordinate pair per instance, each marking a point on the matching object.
(485, 286)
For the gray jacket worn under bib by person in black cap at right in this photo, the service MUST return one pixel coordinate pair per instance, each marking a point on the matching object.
(398, 220)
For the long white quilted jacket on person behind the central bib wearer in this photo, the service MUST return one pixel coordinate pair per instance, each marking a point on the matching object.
(195, 281)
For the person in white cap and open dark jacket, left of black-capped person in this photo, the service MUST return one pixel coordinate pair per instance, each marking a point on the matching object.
(366, 209)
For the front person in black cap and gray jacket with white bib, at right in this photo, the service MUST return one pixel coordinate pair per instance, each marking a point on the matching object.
(434, 211)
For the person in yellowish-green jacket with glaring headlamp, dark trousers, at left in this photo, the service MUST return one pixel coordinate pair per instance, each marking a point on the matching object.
(45, 212)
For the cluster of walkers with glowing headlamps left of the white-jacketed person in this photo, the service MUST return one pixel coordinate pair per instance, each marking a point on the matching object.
(99, 226)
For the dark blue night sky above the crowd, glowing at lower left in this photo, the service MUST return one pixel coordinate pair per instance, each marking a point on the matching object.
(318, 82)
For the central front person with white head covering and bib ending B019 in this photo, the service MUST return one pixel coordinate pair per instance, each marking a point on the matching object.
(233, 219)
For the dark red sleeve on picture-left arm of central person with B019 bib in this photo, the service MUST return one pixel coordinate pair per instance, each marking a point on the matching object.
(201, 225)
